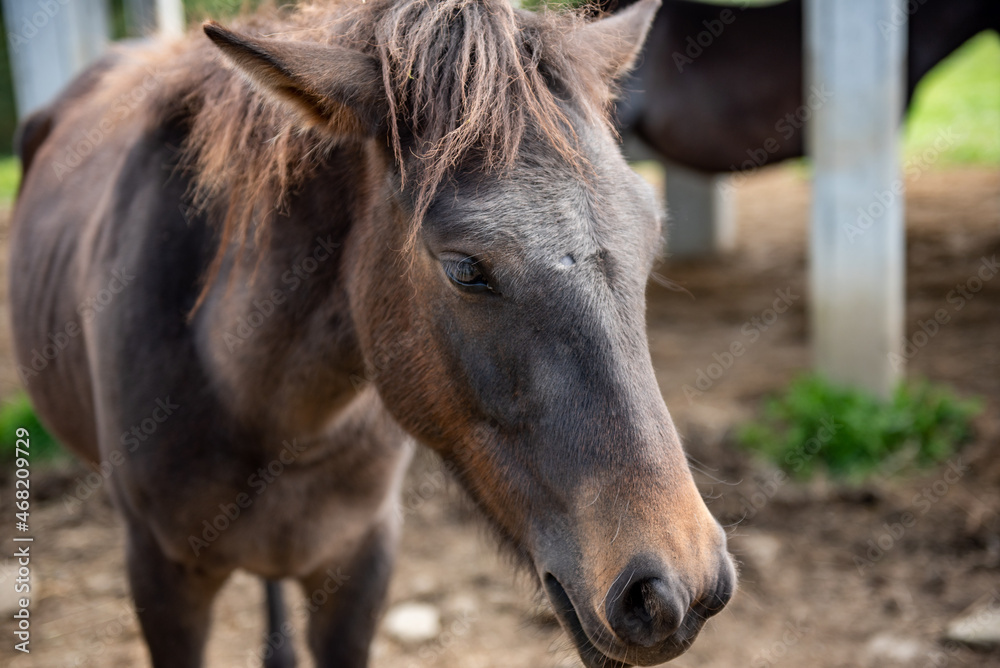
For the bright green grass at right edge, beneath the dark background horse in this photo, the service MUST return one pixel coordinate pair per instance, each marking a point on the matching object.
(961, 95)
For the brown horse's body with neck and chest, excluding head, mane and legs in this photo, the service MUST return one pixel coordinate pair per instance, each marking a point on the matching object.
(256, 397)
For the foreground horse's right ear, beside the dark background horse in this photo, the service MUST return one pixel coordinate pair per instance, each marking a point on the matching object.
(617, 39)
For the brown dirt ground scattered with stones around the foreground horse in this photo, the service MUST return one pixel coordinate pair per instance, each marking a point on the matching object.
(813, 591)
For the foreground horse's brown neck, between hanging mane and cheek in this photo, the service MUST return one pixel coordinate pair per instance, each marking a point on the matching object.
(284, 310)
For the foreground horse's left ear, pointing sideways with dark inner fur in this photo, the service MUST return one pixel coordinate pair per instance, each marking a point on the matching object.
(330, 86)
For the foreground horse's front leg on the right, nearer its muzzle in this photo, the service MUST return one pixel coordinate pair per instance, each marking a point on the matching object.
(345, 600)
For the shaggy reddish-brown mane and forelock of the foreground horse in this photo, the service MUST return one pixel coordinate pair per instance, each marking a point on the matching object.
(465, 81)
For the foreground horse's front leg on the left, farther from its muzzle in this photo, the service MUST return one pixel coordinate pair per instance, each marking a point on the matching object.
(173, 601)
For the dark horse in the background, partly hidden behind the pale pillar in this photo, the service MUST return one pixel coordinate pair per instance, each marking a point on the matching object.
(715, 105)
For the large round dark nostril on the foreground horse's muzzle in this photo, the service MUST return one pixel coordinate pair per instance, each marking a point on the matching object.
(646, 611)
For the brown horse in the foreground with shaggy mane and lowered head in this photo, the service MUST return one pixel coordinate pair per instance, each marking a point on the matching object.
(209, 251)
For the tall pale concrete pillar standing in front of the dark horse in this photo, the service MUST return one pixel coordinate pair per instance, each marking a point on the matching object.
(855, 51)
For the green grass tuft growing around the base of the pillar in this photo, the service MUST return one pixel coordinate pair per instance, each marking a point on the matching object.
(816, 425)
